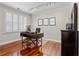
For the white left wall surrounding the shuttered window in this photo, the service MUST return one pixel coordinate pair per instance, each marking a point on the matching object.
(6, 37)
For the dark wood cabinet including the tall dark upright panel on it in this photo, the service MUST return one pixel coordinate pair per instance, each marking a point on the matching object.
(70, 37)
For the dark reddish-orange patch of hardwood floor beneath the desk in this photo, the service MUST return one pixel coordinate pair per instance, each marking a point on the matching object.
(31, 52)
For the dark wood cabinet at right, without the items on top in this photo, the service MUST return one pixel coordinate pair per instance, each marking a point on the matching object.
(69, 47)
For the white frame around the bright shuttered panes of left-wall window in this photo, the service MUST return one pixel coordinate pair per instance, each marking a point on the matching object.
(12, 14)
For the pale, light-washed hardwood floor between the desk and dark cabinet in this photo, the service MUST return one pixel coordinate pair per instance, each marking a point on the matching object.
(51, 48)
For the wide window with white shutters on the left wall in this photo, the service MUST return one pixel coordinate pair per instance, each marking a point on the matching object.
(15, 23)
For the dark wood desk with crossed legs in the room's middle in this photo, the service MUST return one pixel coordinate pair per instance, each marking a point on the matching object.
(34, 37)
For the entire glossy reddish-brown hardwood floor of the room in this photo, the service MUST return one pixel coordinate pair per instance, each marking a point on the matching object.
(50, 48)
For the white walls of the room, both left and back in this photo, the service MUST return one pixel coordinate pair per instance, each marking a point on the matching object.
(51, 32)
